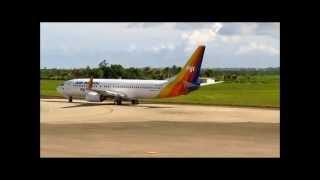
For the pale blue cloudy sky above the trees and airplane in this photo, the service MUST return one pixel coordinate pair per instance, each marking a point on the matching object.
(228, 45)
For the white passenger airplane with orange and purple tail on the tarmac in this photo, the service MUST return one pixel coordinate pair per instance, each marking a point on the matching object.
(98, 90)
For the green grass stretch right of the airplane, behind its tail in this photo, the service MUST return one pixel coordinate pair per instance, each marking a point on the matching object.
(238, 94)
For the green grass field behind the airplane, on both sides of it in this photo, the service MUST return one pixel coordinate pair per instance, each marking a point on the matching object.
(260, 91)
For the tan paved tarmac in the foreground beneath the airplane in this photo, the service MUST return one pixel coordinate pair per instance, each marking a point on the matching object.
(153, 130)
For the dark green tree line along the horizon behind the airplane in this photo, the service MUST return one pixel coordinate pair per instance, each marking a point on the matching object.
(116, 71)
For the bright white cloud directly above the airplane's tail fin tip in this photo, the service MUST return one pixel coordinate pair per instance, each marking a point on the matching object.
(201, 36)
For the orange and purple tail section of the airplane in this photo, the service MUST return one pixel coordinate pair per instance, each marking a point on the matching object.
(187, 79)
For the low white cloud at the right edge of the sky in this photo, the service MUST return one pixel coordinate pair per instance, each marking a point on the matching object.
(253, 46)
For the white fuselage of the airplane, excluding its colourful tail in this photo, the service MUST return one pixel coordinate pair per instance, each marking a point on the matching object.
(132, 88)
